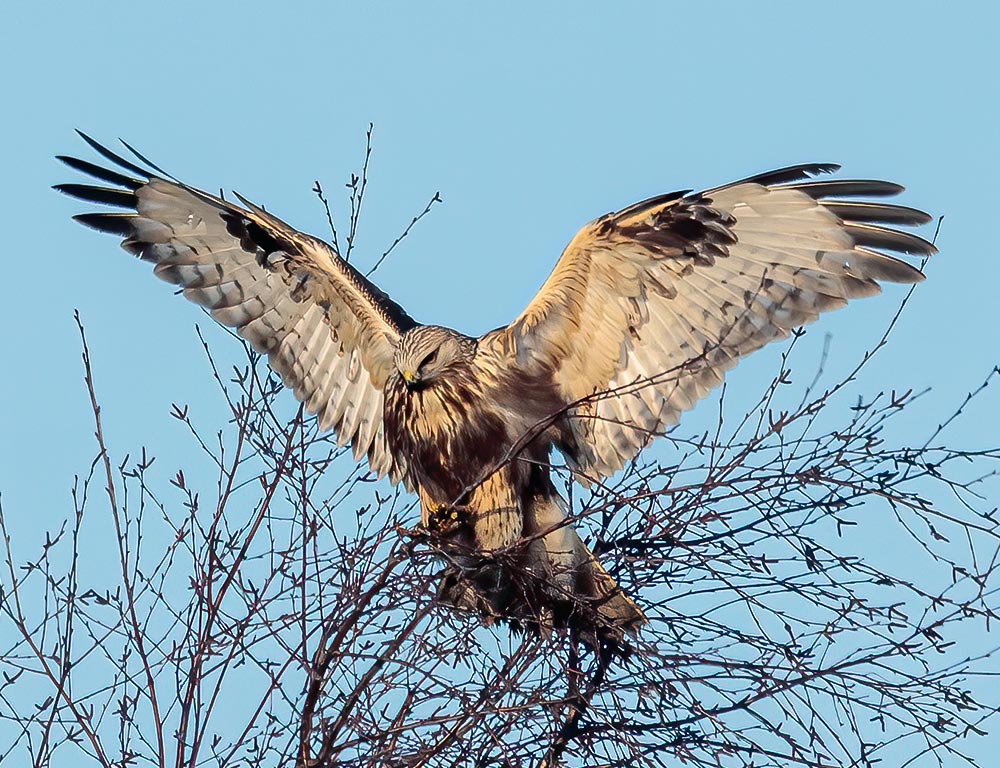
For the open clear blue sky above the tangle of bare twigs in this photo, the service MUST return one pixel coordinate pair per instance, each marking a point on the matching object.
(529, 119)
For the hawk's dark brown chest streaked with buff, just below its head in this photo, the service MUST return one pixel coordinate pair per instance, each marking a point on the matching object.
(449, 432)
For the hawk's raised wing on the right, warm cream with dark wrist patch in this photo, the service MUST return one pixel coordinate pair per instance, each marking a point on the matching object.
(648, 307)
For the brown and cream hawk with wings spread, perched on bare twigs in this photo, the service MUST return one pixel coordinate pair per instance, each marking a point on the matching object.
(644, 312)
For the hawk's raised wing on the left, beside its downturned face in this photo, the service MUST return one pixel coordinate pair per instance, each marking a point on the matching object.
(326, 330)
